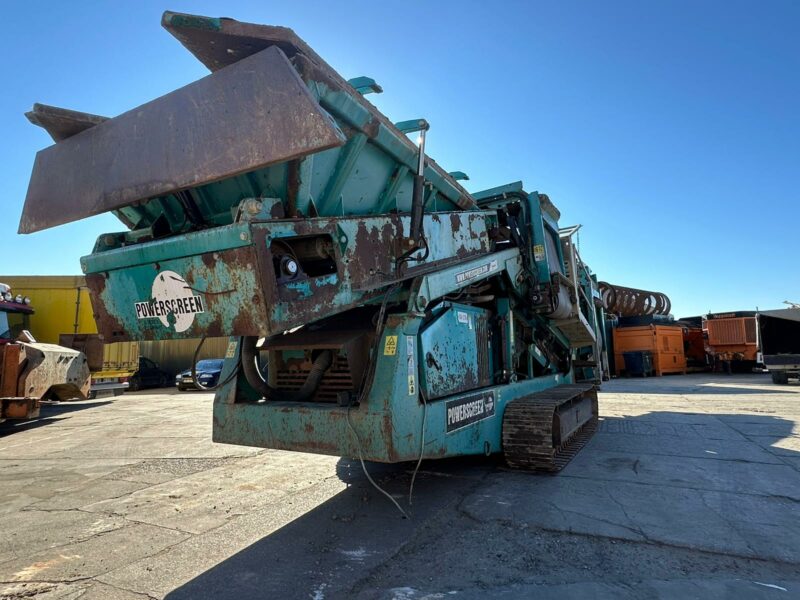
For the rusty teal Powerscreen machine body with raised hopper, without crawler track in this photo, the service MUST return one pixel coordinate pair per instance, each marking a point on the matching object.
(354, 327)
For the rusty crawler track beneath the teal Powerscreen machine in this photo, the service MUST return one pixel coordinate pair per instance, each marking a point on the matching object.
(528, 429)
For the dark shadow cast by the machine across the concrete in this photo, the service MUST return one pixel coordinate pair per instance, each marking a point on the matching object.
(357, 545)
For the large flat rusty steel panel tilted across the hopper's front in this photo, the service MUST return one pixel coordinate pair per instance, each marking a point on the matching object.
(250, 115)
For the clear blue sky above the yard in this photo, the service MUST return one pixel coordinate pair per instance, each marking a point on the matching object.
(669, 130)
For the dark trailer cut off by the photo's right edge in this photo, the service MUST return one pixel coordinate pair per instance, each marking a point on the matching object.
(779, 333)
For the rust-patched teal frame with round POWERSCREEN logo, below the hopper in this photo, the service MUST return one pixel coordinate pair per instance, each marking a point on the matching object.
(230, 269)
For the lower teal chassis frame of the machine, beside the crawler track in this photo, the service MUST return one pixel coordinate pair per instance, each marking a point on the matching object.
(389, 423)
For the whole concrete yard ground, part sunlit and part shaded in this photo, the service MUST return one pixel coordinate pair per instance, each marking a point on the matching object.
(691, 489)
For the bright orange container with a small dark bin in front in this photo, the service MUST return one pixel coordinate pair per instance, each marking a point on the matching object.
(665, 343)
